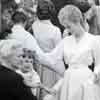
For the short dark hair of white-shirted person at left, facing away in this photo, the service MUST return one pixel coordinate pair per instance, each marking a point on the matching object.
(18, 17)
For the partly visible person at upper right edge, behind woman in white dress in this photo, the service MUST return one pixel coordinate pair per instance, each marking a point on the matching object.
(93, 17)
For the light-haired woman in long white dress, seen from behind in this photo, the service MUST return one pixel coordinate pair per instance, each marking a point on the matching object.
(79, 51)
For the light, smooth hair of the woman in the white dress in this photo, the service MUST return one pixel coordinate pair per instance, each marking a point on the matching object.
(70, 13)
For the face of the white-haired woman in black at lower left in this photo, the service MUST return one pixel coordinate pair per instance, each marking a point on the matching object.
(22, 60)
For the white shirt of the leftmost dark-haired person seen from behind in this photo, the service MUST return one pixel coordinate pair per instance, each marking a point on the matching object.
(20, 34)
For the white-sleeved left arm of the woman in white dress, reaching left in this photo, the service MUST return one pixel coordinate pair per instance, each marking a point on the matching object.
(53, 59)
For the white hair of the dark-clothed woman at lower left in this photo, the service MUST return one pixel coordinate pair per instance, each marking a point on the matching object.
(9, 47)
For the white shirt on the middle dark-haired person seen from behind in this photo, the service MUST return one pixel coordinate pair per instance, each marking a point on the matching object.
(46, 34)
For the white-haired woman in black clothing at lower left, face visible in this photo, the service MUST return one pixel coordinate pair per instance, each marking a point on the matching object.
(16, 71)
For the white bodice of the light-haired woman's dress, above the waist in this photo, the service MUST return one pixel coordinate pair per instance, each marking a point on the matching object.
(78, 53)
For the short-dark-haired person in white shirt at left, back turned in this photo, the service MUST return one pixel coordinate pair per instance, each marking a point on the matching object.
(19, 33)
